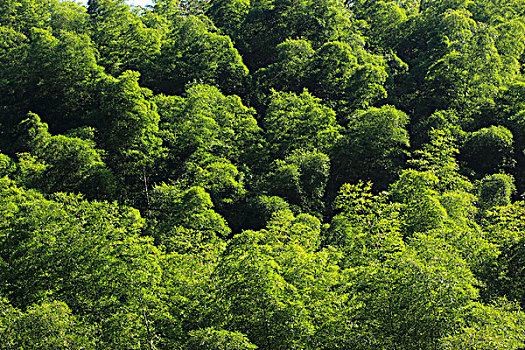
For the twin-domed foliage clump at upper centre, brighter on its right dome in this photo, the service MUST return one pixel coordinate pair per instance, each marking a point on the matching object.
(344, 76)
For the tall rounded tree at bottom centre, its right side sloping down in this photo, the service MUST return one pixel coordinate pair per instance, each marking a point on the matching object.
(257, 300)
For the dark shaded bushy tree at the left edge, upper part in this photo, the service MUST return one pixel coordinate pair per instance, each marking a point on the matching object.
(51, 74)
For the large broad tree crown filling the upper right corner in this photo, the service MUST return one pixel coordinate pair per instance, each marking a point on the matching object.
(455, 59)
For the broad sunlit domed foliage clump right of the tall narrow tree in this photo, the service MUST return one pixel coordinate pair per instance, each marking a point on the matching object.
(207, 122)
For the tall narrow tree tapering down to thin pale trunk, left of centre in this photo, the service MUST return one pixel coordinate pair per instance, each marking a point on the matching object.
(128, 123)
